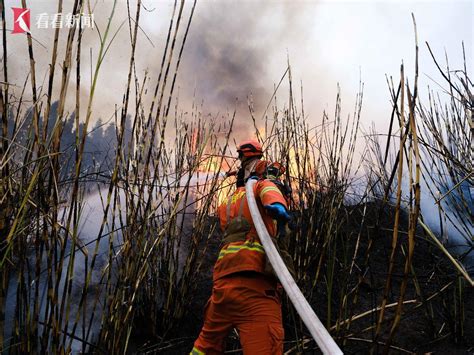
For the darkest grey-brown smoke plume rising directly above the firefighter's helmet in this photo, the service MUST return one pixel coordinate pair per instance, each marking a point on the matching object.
(225, 62)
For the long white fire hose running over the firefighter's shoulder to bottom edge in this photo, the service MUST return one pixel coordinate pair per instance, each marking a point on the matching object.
(322, 337)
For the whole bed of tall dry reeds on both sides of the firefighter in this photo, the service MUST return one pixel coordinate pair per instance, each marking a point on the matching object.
(365, 257)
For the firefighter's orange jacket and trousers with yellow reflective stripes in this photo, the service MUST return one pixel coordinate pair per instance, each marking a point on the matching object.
(243, 297)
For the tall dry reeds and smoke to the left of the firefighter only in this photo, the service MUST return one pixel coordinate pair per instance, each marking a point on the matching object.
(61, 292)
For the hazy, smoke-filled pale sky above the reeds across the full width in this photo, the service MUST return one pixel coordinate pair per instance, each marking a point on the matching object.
(237, 48)
